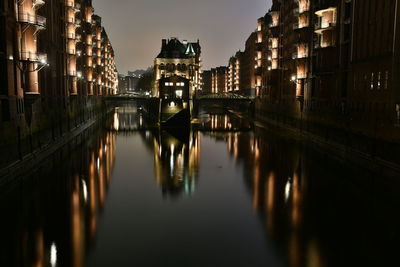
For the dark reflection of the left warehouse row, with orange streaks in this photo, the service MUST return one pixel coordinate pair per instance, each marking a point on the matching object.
(51, 220)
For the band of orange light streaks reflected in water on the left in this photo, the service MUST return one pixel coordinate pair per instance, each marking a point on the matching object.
(88, 195)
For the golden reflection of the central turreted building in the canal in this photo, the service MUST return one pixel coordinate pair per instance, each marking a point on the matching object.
(176, 160)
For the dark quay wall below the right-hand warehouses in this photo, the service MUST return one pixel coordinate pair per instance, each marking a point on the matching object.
(370, 137)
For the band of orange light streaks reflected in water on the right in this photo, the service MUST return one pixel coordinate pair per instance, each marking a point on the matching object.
(274, 176)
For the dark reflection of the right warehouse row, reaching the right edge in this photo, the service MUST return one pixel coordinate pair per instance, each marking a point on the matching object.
(315, 213)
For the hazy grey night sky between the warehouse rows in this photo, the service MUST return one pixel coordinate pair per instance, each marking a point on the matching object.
(136, 27)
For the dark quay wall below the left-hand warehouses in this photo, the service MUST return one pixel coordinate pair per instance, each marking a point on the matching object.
(56, 123)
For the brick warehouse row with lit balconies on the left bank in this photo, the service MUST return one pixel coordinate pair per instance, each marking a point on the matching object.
(56, 60)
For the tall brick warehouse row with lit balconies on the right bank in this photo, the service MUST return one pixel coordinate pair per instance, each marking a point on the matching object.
(329, 67)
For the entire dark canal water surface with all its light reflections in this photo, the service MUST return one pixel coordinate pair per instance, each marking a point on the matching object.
(224, 193)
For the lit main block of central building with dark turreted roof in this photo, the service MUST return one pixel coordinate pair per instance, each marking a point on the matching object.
(178, 59)
